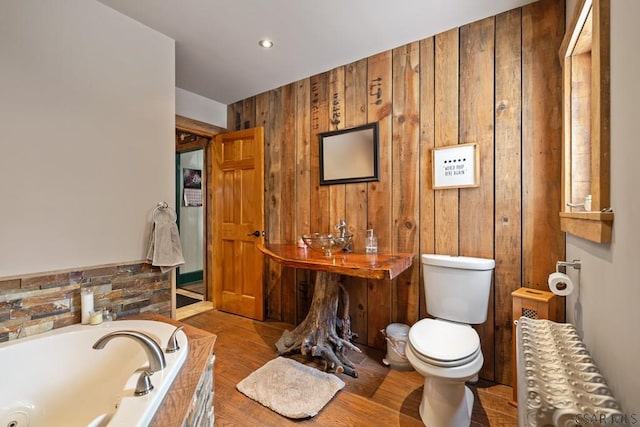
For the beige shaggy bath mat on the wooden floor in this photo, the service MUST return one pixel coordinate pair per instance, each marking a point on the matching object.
(290, 388)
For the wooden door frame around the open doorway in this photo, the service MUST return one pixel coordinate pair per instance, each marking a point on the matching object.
(208, 131)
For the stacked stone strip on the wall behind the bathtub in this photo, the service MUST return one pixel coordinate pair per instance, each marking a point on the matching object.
(37, 303)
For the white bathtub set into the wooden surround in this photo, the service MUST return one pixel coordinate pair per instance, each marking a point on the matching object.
(58, 379)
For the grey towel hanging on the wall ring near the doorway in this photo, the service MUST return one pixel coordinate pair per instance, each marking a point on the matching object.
(165, 250)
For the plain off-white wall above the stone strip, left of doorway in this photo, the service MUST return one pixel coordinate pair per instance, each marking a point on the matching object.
(87, 116)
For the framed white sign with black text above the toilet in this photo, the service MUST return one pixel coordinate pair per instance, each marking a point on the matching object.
(456, 166)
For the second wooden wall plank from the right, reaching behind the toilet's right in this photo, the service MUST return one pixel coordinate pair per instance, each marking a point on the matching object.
(508, 158)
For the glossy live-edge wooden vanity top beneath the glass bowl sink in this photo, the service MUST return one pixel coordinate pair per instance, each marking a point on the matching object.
(368, 266)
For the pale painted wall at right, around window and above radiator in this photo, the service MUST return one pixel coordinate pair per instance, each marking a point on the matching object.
(605, 309)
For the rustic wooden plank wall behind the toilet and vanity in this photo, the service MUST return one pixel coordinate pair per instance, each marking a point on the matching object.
(495, 82)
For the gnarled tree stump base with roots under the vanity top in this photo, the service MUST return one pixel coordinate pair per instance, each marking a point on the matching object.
(317, 334)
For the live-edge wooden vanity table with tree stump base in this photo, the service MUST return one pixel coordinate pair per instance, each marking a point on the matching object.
(317, 335)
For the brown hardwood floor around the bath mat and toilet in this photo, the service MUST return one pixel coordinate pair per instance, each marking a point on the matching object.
(378, 397)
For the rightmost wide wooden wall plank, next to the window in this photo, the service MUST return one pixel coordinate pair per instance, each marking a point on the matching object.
(542, 238)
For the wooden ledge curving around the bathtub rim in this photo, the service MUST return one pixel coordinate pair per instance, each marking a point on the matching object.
(176, 403)
